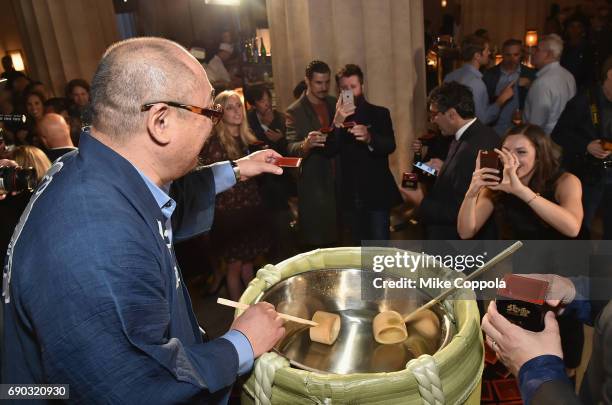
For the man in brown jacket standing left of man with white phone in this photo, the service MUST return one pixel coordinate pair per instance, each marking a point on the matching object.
(316, 184)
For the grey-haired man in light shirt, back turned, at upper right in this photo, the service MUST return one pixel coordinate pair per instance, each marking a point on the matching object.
(553, 88)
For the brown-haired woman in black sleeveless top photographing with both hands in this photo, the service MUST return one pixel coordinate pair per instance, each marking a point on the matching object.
(532, 197)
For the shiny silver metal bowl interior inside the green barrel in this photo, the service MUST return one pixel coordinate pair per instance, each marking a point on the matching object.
(350, 293)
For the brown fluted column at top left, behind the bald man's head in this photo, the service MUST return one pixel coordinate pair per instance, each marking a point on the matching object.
(64, 39)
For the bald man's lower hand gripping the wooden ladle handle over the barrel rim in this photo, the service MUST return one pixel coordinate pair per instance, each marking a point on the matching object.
(260, 324)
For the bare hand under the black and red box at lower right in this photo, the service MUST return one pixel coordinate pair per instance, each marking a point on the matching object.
(514, 345)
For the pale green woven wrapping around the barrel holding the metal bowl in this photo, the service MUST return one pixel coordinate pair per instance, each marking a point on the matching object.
(459, 364)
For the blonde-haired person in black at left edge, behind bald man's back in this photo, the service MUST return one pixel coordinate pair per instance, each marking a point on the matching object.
(12, 205)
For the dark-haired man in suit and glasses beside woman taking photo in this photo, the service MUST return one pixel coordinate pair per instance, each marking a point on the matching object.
(451, 107)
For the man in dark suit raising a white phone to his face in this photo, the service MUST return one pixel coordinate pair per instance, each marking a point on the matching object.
(368, 190)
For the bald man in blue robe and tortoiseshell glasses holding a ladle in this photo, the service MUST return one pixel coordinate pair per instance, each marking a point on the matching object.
(93, 296)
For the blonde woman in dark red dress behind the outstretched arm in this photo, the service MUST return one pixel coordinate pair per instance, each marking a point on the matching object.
(239, 232)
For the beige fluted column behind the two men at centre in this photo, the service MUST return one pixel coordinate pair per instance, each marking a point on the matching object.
(385, 37)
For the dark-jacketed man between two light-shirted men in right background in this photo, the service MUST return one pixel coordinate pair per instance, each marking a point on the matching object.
(509, 71)
